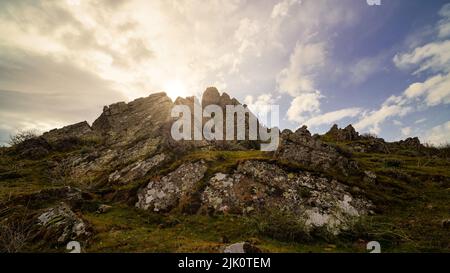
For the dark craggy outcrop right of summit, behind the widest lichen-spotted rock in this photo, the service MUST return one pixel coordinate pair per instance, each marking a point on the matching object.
(301, 148)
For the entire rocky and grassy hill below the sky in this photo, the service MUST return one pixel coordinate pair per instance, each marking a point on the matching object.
(124, 184)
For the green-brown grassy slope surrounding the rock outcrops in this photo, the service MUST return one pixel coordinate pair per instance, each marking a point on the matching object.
(413, 199)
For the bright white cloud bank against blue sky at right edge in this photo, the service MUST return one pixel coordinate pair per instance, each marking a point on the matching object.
(434, 58)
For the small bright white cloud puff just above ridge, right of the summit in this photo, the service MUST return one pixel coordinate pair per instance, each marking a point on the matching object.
(303, 106)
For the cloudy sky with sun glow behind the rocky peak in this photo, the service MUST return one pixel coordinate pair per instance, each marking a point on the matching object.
(383, 68)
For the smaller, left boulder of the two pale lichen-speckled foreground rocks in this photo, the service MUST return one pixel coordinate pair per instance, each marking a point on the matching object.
(164, 194)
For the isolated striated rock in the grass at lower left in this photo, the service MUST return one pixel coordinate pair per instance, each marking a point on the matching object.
(61, 224)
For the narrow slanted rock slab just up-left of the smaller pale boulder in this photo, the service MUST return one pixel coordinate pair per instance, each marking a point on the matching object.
(136, 170)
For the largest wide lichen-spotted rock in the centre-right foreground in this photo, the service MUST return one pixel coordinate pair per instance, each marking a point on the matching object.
(257, 186)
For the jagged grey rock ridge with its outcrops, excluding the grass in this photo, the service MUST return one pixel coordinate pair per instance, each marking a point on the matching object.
(128, 155)
